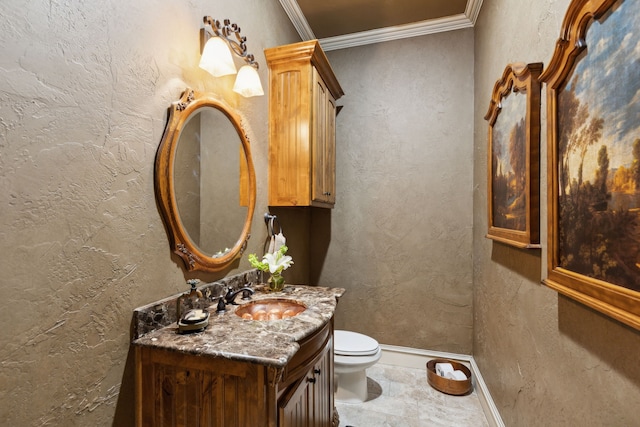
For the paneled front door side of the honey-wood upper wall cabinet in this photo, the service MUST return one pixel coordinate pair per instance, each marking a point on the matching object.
(323, 143)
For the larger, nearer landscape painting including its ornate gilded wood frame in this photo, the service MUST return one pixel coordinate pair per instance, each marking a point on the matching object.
(593, 106)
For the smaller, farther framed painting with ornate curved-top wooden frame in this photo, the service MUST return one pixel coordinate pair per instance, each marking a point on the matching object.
(514, 157)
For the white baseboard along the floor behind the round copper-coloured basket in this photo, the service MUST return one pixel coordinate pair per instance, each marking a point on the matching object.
(417, 358)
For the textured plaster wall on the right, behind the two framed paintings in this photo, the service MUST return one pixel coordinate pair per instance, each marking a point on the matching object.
(547, 360)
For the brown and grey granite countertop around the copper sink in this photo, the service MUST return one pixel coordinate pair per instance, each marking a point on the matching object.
(270, 343)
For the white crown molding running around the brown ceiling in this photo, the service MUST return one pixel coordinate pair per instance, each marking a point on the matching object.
(431, 26)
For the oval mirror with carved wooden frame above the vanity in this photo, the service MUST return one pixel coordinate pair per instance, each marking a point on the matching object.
(205, 182)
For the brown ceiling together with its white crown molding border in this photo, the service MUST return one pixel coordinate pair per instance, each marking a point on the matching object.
(339, 24)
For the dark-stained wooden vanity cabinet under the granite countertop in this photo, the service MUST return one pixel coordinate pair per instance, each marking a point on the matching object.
(175, 388)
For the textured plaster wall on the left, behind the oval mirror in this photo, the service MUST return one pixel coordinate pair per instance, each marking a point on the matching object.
(84, 92)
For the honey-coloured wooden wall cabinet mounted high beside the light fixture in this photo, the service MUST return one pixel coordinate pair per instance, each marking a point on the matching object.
(302, 134)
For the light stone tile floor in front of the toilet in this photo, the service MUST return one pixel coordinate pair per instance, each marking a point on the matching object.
(401, 397)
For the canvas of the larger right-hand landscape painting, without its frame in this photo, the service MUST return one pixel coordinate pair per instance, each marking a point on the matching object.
(599, 155)
